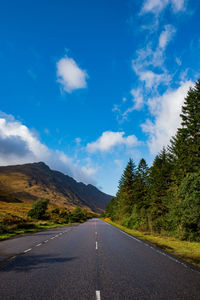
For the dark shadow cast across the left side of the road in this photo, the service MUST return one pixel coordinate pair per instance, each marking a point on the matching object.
(26, 263)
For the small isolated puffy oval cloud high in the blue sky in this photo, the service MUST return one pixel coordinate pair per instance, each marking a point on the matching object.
(70, 75)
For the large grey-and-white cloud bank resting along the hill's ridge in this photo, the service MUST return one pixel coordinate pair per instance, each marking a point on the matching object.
(19, 145)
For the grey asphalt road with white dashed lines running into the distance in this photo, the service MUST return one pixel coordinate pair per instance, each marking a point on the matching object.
(92, 261)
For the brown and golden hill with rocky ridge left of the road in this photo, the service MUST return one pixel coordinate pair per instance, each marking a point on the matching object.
(36, 180)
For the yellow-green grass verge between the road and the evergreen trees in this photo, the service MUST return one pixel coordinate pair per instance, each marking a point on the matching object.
(188, 251)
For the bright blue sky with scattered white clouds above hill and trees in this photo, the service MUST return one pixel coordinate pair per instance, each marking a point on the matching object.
(86, 85)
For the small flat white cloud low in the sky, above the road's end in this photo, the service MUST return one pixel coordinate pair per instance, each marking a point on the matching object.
(110, 139)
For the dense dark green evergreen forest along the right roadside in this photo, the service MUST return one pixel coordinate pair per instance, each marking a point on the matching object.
(165, 198)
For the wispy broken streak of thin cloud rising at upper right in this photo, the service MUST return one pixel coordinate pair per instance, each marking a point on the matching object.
(149, 67)
